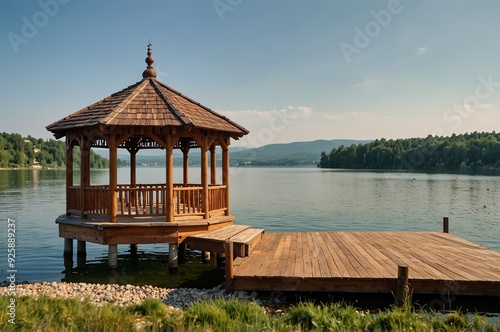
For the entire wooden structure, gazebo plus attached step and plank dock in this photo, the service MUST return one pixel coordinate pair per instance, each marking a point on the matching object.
(151, 115)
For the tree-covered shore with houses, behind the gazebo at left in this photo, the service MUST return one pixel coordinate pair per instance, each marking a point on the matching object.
(20, 152)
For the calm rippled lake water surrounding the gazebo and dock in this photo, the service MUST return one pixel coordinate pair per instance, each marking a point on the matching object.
(277, 199)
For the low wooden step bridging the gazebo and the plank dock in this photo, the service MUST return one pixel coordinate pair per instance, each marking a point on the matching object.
(244, 239)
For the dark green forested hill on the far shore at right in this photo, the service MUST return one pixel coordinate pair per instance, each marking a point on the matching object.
(475, 150)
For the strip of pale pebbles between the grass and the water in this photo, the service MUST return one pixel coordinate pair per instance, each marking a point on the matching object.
(174, 298)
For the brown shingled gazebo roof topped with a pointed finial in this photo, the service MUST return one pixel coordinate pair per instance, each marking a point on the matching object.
(147, 103)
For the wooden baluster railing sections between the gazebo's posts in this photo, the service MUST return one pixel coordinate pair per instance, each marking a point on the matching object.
(147, 200)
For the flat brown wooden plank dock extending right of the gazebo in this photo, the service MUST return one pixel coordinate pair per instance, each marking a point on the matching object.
(367, 262)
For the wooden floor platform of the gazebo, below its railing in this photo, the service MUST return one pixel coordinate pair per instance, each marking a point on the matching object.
(136, 230)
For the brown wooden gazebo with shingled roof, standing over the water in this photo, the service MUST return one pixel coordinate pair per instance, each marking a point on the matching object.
(145, 115)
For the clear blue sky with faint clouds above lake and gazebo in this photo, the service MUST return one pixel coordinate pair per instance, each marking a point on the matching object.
(287, 70)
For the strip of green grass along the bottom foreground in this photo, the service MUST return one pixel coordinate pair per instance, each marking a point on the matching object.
(48, 314)
